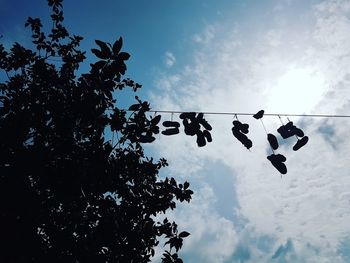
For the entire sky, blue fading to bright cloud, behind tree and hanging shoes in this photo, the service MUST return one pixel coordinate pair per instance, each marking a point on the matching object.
(283, 56)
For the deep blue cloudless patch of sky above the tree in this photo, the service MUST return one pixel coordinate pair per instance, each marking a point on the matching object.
(149, 28)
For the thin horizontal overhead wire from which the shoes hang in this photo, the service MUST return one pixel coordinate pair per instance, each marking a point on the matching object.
(251, 114)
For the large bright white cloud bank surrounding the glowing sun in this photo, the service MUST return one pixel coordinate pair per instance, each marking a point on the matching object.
(310, 205)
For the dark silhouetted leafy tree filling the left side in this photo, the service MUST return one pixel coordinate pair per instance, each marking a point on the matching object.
(66, 193)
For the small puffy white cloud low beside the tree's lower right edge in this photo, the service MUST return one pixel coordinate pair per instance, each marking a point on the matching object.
(212, 237)
